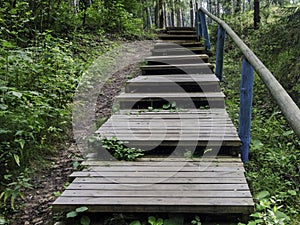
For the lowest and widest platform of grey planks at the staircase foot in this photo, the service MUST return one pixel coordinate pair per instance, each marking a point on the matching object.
(160, 185)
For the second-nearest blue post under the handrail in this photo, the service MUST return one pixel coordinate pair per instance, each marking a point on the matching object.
(220, 52)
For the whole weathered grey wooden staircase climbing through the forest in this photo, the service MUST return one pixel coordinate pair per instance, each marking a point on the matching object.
(174, 109)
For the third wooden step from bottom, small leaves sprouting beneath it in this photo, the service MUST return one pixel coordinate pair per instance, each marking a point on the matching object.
(182, 99)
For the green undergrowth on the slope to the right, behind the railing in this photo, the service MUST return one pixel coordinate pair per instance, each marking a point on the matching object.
(273, 171)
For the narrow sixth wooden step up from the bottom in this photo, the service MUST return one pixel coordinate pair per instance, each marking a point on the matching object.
(177, 59)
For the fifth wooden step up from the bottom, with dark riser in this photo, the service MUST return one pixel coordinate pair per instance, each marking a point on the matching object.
(201, 68)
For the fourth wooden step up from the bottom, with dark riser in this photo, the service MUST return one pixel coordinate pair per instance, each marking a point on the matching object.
(173, 83)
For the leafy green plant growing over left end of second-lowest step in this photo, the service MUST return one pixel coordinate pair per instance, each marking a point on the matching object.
(121, 152)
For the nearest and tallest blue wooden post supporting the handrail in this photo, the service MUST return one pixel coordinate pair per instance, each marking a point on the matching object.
(246, 108)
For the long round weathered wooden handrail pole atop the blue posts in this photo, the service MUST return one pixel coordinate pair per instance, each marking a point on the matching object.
(286, 104)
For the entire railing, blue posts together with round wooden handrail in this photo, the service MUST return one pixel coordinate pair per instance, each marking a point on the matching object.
(249, 64)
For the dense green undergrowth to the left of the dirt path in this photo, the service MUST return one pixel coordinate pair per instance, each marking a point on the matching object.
(37, 85)
